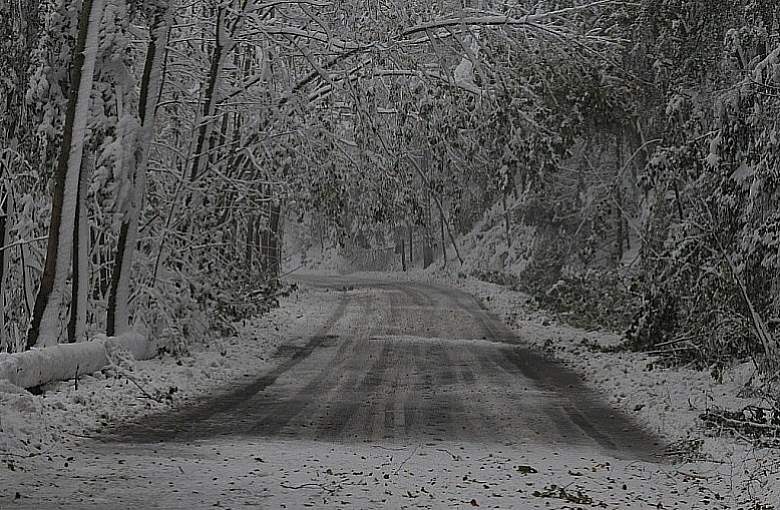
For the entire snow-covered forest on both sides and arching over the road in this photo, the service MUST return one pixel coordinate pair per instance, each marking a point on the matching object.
(154, 153)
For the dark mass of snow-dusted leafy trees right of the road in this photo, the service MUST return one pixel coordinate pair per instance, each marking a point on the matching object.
(647, 176)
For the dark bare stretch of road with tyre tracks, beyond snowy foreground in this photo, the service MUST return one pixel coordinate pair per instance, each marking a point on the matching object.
(406, 362)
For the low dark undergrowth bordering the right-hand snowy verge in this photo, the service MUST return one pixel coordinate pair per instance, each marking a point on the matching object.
(659, 319)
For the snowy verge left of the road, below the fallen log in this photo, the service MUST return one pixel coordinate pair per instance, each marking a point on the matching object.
(30, 425)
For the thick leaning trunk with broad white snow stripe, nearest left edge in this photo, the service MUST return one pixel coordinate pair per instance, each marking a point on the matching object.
(44, 326)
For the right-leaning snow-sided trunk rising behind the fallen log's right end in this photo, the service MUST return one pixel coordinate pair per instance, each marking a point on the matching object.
(118, 313)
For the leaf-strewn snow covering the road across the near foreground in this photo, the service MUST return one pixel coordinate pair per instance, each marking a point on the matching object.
(259, 473)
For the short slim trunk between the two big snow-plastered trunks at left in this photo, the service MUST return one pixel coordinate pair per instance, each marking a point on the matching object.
(77, 325)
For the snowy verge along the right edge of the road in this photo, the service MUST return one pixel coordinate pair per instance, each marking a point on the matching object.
(664, 400)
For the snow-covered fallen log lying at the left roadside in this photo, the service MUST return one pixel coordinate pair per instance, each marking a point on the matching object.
(64, 361)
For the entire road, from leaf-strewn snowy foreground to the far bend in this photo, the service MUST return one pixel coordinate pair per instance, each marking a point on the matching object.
(410, 396)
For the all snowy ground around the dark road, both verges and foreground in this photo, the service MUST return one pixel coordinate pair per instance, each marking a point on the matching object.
(282, 473)
